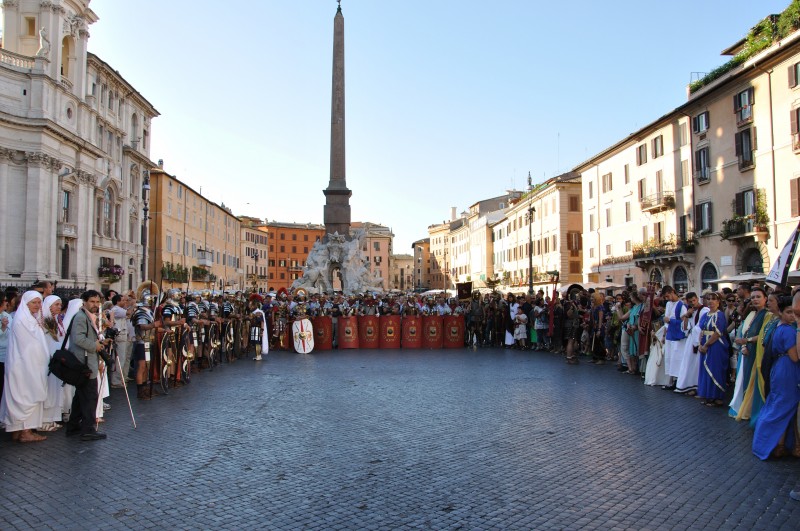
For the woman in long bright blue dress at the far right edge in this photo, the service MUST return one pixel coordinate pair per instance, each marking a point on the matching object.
(778, 413)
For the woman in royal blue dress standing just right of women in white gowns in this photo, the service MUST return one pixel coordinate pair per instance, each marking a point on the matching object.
(714, 357)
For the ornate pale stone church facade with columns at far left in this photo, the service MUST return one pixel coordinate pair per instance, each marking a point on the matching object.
(74, 153)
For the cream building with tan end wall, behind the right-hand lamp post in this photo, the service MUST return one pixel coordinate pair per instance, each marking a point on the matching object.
(540, 233)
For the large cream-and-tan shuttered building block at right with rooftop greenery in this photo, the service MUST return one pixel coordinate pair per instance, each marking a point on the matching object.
(706, 192)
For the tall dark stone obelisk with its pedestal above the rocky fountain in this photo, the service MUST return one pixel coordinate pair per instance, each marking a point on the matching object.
(337, 195)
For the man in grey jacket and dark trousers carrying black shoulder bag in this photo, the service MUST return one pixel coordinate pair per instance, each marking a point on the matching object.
(85, 344)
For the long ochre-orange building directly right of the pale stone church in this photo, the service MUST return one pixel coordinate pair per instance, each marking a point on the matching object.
(193, 243)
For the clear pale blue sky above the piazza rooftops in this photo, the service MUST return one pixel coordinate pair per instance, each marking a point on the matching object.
(448, 102)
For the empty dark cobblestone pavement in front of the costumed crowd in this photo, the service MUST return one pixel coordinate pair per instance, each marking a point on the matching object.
(493, 439)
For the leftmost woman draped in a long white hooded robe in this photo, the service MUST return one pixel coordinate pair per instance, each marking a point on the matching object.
(22, 406)
